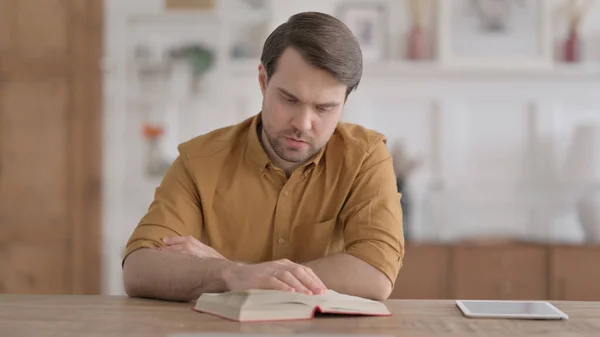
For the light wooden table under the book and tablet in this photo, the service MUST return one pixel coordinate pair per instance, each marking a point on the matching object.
(87, 316)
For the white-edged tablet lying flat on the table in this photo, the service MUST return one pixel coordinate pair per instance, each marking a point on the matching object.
(511, 308)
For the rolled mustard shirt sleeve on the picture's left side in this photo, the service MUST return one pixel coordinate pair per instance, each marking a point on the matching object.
(175, 211)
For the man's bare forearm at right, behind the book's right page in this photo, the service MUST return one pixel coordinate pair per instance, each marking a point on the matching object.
(350, 275)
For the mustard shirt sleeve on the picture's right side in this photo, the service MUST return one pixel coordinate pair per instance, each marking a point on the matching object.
(372, 215)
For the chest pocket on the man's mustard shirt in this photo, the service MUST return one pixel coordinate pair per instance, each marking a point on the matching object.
(313, 241)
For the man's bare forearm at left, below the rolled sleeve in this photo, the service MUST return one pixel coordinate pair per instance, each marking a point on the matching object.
(161, 275)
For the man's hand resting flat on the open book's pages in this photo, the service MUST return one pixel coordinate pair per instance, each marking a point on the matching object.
(278, 275)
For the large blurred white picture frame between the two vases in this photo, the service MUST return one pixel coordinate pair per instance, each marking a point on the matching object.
(474, 34)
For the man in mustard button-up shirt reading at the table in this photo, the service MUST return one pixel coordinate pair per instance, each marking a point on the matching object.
(290, 199)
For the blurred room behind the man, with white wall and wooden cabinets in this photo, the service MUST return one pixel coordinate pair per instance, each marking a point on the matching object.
(491, 109)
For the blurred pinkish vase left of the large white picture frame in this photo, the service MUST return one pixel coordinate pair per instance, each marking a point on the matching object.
(418, 48)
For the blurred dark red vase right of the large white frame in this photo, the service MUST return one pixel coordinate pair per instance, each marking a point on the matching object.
(576, 10)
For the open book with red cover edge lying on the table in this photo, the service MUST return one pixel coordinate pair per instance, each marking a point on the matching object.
(274, 305)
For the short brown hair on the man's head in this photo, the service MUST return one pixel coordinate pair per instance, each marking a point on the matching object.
(324, 41)
